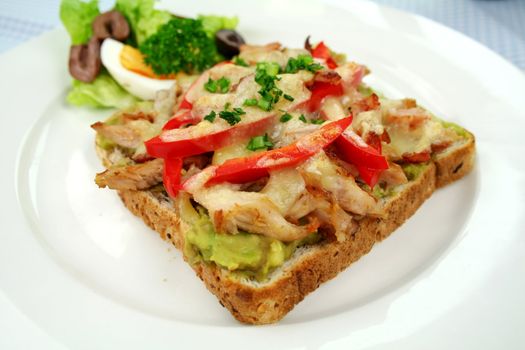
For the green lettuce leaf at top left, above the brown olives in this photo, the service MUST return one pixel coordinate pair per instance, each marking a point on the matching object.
(77, 16)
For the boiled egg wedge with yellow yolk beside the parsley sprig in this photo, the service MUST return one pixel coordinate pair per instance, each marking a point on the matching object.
(126, 65)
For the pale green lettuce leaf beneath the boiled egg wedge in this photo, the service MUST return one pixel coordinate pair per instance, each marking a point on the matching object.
(102, 92)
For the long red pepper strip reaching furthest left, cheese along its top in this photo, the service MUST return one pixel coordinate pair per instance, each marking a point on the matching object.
(185, 143)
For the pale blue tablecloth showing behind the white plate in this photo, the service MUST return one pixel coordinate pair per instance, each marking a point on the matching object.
(498, 24)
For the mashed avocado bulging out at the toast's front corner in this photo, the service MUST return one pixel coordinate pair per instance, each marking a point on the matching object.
(249, 254)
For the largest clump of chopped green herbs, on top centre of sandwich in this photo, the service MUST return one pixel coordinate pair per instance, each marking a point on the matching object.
(265, 76)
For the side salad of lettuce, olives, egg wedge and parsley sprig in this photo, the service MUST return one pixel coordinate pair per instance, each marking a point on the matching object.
(122, 56)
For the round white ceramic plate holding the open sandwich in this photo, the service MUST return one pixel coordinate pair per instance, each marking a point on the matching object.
(90, 275)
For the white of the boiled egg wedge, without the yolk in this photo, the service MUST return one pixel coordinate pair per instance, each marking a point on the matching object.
(138, 85)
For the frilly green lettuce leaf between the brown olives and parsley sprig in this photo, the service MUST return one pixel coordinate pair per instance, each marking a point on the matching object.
(142, 17)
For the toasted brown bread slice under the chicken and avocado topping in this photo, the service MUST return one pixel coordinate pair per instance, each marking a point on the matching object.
(267, 302)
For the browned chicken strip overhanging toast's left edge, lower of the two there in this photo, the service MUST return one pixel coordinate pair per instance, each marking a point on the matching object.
(132, 177)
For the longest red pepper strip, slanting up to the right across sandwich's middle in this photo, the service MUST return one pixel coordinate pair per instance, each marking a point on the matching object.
(246, 169)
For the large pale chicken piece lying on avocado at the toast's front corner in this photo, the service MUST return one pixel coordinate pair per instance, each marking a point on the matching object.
(231, 210)
